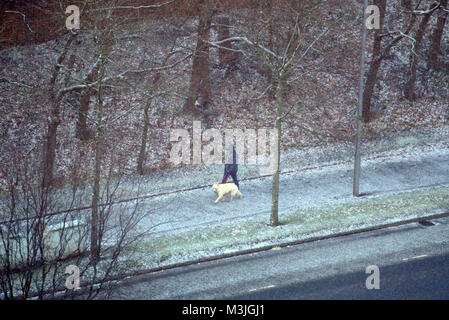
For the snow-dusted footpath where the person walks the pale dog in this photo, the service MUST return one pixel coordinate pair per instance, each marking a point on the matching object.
(404, 169)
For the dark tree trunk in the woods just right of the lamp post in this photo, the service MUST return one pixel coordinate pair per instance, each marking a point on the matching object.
(375, 63)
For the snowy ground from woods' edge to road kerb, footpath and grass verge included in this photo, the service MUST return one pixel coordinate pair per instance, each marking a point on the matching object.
(403, 177)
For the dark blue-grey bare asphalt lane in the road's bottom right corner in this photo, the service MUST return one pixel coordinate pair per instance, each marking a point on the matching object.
(423, 278)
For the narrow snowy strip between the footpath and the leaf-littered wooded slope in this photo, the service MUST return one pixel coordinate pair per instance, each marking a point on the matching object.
(410, 143)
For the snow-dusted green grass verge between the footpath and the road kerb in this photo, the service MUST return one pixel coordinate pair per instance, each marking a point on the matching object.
(295, 225)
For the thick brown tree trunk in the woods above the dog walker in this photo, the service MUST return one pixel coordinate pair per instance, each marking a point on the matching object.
(200, 78)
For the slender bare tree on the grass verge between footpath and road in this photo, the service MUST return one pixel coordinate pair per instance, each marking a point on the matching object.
(279, 35)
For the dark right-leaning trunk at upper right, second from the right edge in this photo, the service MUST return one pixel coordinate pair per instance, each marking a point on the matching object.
(409, 91)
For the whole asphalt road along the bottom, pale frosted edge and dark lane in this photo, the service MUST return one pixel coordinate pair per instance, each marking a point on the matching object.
(412, 262)
